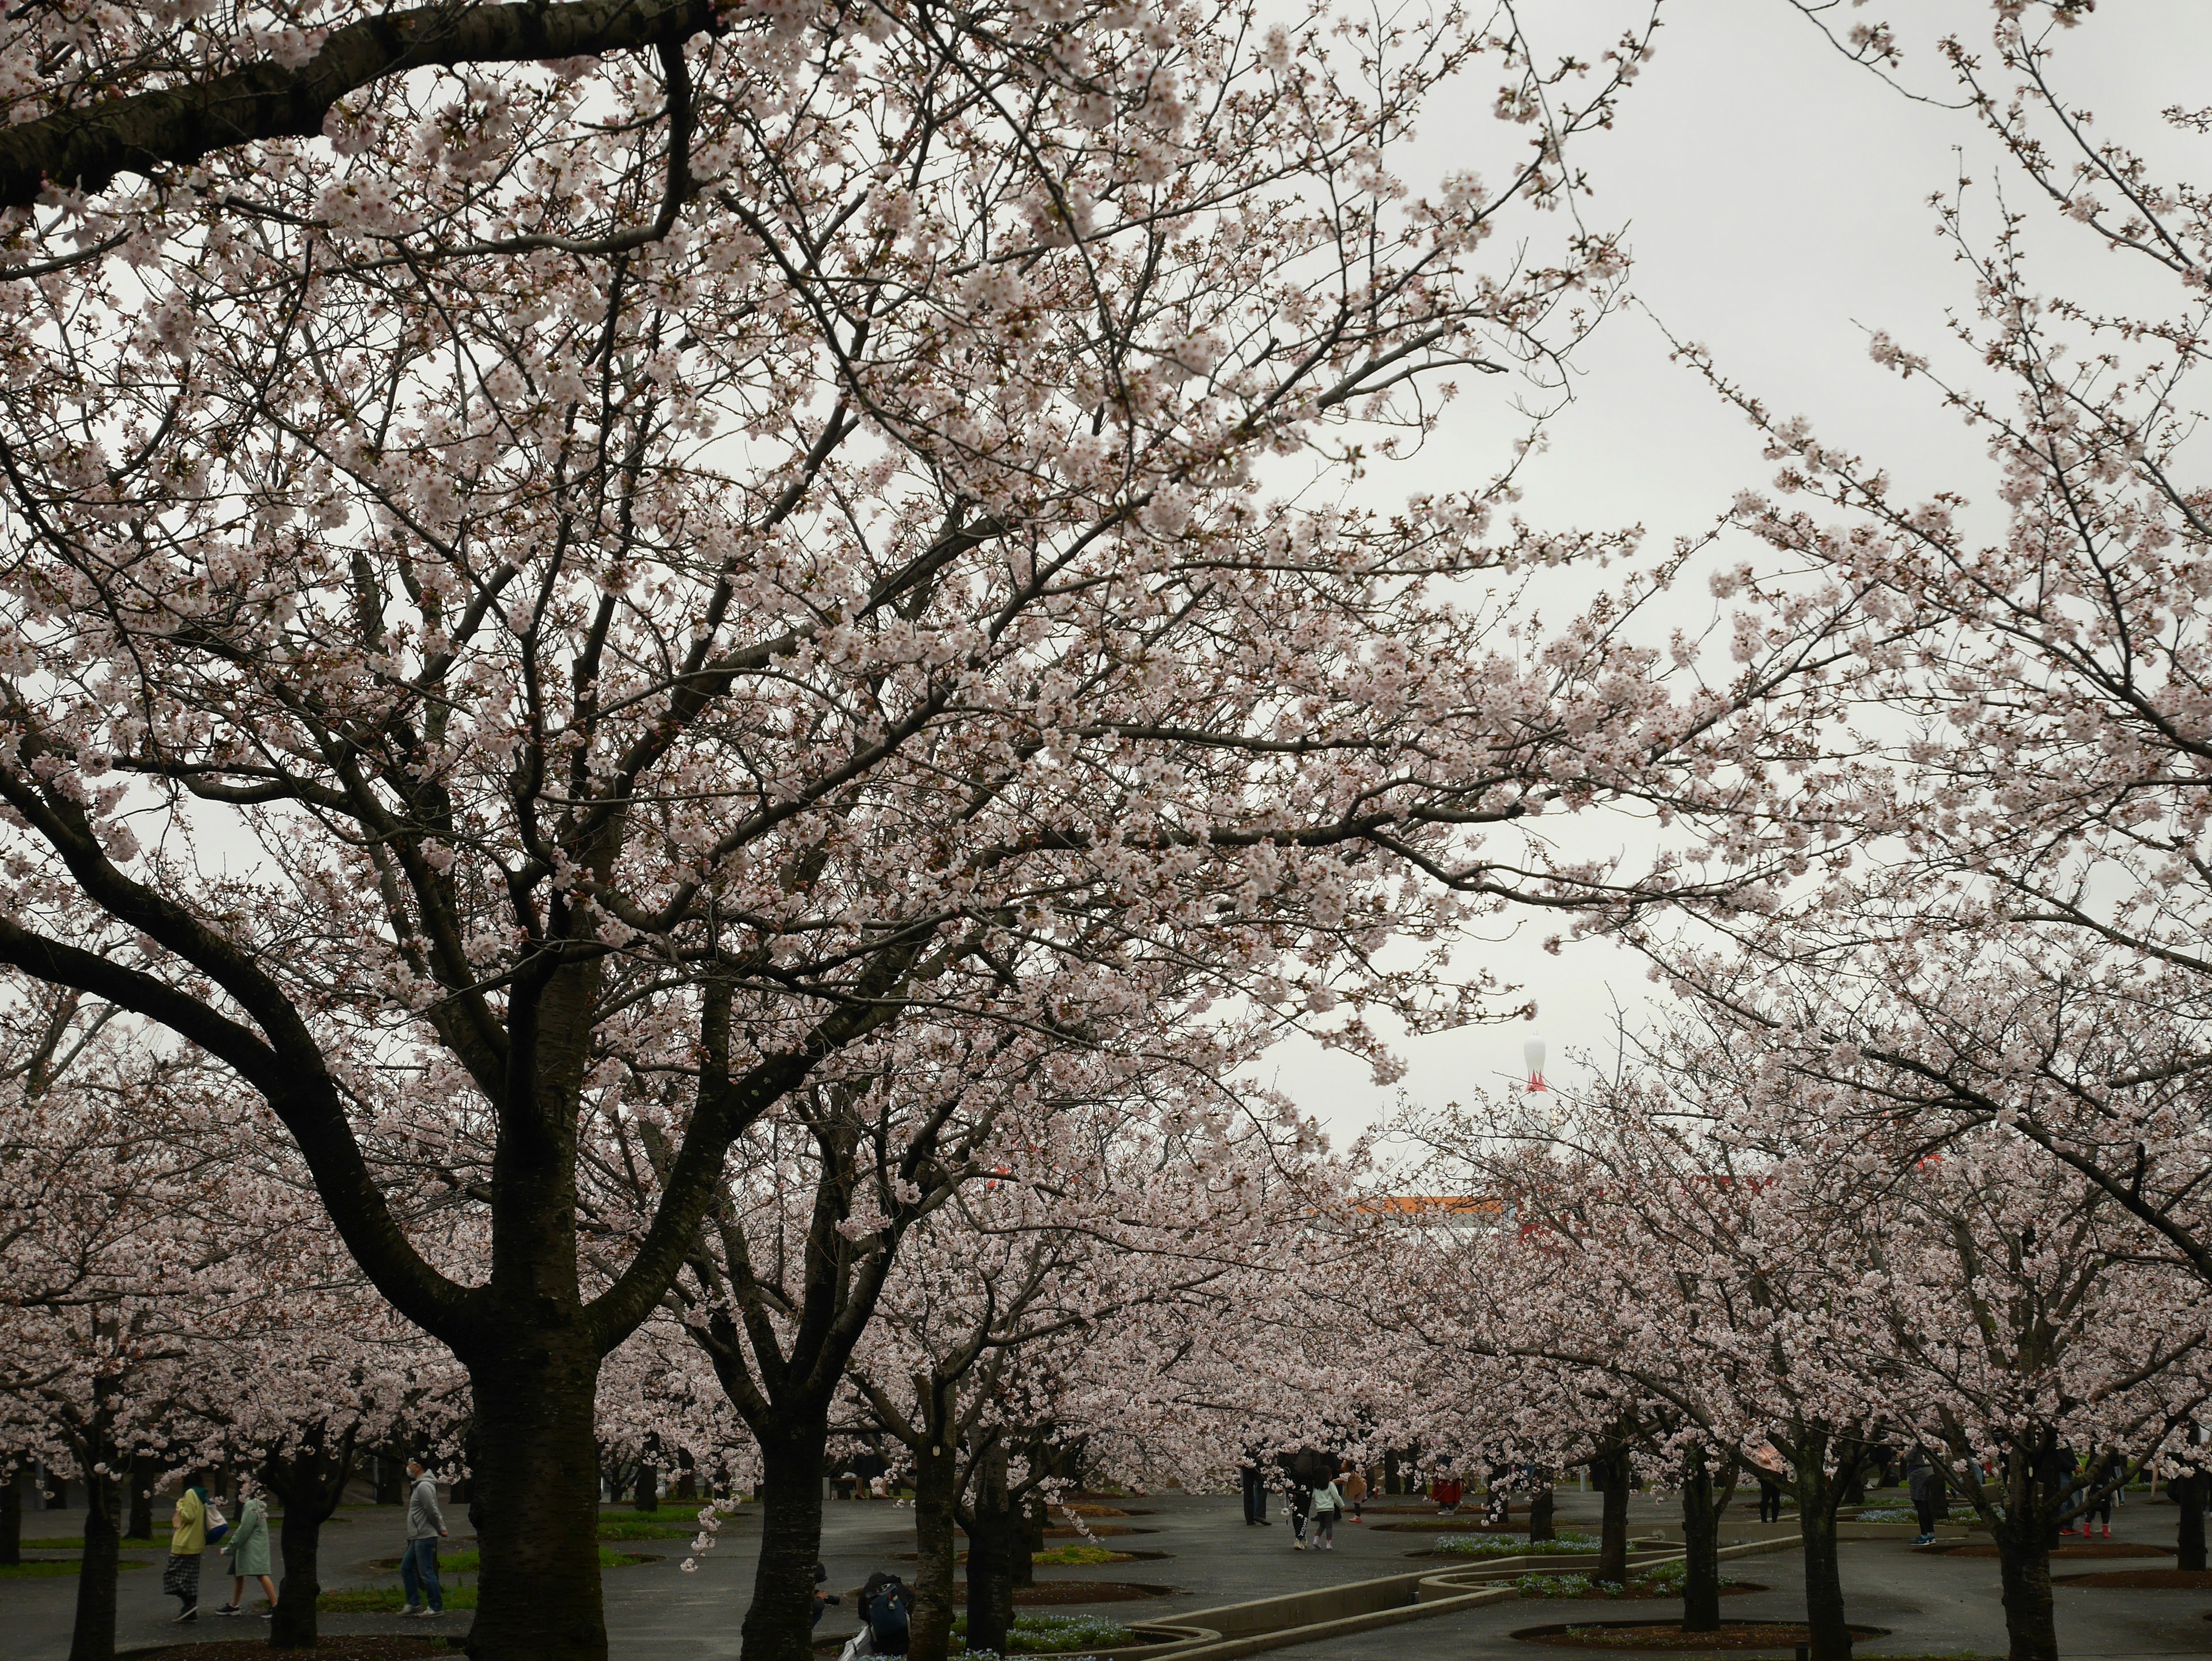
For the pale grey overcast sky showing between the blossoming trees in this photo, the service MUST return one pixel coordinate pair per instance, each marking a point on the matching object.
(1777, 207)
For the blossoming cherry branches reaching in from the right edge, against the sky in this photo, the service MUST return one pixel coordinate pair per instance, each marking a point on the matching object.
(2027, 791)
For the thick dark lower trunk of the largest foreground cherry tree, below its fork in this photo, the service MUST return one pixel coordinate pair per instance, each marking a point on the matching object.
(536, 1496)
